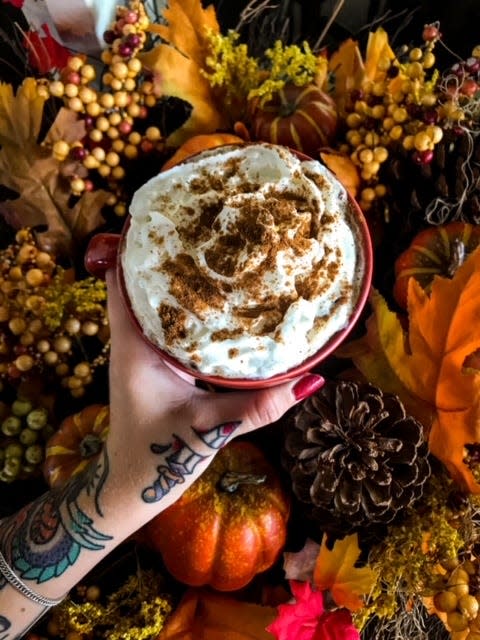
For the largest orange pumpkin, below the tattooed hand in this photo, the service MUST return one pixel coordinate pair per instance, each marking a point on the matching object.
(228, 526)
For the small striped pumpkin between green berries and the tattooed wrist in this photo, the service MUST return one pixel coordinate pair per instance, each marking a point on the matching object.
(79, 438)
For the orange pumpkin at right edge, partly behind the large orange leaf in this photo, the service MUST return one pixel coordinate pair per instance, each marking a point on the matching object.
(438, 250)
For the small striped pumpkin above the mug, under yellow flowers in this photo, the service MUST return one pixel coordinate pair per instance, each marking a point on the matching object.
(302, 118)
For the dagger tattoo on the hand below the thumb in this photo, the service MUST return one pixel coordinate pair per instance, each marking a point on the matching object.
(179, 459)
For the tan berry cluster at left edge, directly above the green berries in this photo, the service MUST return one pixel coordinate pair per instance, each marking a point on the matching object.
(45, 321)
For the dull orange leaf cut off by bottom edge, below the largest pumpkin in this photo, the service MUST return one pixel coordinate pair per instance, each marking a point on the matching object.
(206, 615)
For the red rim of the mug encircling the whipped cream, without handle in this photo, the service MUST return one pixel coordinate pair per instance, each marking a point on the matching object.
(306, 365)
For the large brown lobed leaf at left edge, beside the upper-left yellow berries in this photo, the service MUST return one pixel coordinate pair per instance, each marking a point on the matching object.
(29, 169)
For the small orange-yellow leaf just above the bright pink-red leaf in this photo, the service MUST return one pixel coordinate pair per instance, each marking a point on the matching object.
(335, 571)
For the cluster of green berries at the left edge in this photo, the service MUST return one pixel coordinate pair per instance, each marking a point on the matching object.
(24, 431)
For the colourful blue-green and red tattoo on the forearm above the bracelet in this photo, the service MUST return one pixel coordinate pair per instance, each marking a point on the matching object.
(45, 538)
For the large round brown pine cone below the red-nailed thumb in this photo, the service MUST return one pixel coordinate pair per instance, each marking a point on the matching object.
(355, 458)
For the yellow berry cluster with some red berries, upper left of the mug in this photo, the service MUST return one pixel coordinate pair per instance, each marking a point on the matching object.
(114, 116)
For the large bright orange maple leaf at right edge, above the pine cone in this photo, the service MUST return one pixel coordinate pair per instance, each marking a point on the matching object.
(428, 362)
